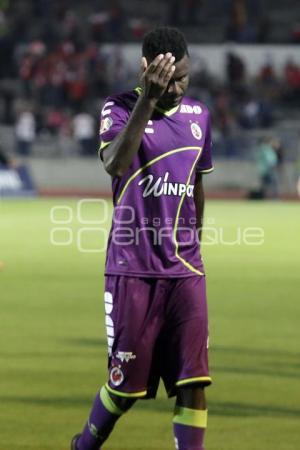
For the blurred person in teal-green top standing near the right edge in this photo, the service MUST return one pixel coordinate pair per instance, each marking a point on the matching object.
(267, 160)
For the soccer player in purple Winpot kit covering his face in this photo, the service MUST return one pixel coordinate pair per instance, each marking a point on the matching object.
(155, 144)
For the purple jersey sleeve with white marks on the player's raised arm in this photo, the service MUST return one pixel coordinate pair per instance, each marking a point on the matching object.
(114, 117)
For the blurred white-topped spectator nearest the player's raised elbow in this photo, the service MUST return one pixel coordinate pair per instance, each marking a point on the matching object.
(84, 133)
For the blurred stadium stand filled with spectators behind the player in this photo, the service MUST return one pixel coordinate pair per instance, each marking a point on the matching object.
(59, 63)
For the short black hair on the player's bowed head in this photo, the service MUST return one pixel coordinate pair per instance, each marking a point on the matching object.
(163, 40)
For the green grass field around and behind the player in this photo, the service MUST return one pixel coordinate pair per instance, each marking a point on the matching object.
(53, 345)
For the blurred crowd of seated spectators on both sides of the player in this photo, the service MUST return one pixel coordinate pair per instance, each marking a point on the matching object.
(61, 92)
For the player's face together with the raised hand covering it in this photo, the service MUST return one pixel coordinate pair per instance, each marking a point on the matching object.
(163, 81)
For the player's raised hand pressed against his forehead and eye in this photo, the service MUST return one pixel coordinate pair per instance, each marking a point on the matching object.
(156, 76)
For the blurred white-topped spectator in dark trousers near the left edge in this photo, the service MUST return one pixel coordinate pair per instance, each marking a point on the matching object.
(25, 132)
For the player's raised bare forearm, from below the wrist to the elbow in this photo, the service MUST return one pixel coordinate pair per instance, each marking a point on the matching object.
(119, 155)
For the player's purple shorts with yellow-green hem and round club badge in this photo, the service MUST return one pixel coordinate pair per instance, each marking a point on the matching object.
(156, 328)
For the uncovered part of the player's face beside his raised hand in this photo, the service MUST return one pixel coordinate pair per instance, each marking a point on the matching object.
(177, 86)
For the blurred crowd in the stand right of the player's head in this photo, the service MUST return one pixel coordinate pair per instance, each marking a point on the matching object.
(248, 102)
